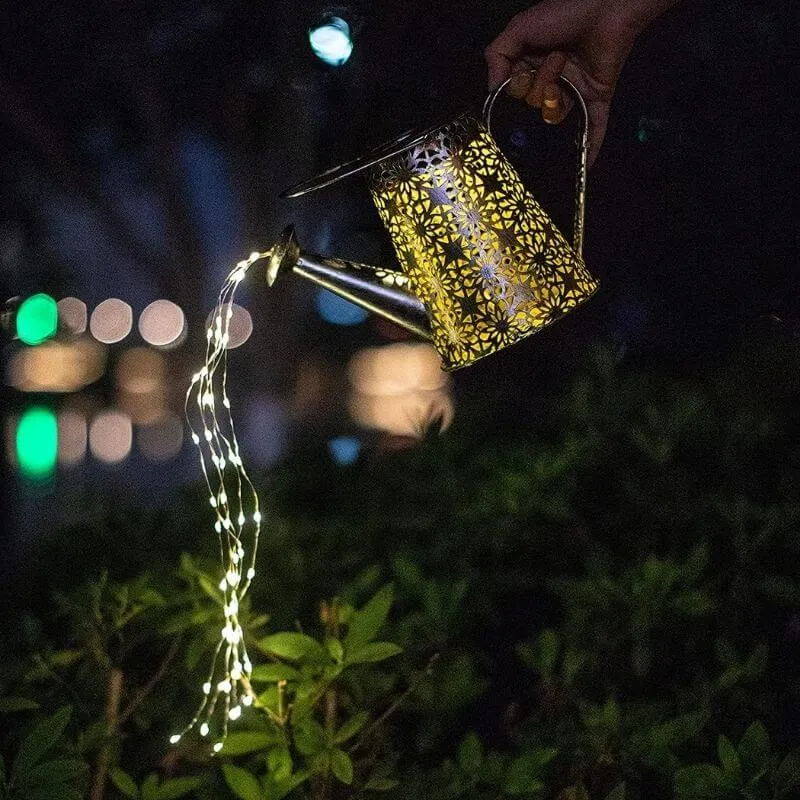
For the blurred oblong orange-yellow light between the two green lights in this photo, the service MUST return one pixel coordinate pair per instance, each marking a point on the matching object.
(57, 366)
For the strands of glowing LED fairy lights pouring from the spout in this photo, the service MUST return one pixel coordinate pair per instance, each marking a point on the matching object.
(237, 516)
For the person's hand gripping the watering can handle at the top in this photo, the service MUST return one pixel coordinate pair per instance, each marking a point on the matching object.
(586, 40)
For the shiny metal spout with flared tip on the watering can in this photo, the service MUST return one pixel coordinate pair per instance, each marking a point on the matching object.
(378, 290)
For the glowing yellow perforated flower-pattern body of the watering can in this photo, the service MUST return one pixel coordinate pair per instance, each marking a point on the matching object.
(476, 247)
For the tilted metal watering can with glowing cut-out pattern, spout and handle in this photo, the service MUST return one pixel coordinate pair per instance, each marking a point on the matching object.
(483, 264)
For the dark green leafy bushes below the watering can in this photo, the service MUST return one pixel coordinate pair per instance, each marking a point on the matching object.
(598, 609)
